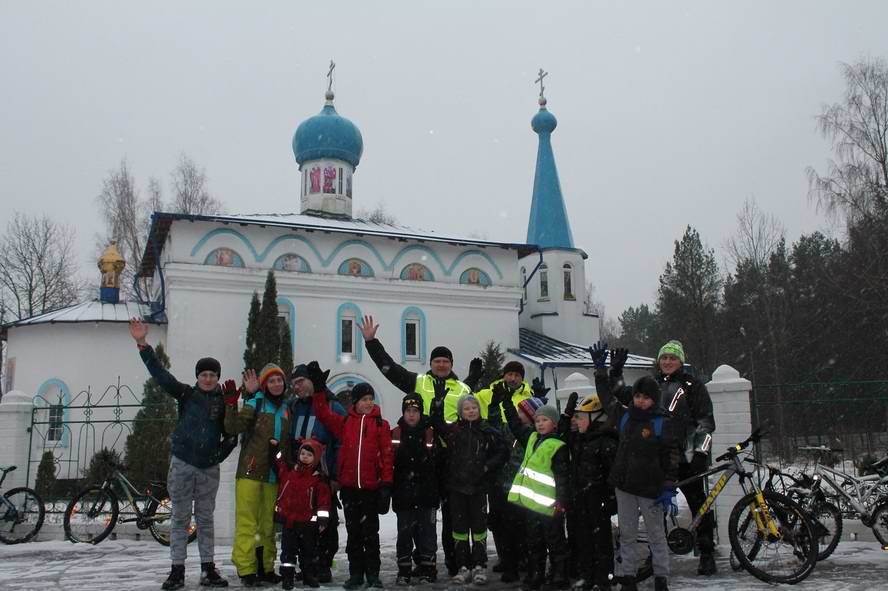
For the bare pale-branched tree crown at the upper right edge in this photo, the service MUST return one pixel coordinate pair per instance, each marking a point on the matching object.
(855, 184)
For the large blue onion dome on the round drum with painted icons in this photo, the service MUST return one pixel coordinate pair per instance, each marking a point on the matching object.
(328, 135)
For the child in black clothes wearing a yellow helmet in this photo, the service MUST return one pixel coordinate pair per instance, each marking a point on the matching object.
(593, 448)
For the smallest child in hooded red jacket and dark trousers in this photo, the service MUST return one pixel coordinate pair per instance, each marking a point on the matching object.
(303, 504)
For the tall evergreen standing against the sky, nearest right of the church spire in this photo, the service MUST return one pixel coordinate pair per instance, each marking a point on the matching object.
(688, 300)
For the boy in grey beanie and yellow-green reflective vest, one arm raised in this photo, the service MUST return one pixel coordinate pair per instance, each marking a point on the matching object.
(540, 487)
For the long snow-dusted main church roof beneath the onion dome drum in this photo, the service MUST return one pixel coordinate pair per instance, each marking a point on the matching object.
(161, 223)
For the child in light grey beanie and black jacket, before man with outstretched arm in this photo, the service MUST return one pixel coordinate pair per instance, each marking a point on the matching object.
(476, 451)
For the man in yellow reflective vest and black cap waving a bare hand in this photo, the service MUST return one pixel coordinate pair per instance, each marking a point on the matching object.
(439, 380)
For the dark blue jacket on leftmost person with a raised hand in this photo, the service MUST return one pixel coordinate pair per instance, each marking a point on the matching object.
(199, 433)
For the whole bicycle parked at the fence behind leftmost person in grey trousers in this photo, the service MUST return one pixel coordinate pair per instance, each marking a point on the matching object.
(91, 516)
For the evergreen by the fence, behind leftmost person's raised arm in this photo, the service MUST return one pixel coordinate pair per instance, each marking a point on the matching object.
(148, 446)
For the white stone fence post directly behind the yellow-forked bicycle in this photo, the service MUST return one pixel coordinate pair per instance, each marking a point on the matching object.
(733, 423)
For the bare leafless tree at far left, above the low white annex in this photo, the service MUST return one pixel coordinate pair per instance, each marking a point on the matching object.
(38, 268)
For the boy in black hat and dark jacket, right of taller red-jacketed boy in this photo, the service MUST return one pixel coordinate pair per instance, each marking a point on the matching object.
(415, 492)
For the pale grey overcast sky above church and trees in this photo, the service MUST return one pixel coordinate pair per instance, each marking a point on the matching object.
(670, 113)
